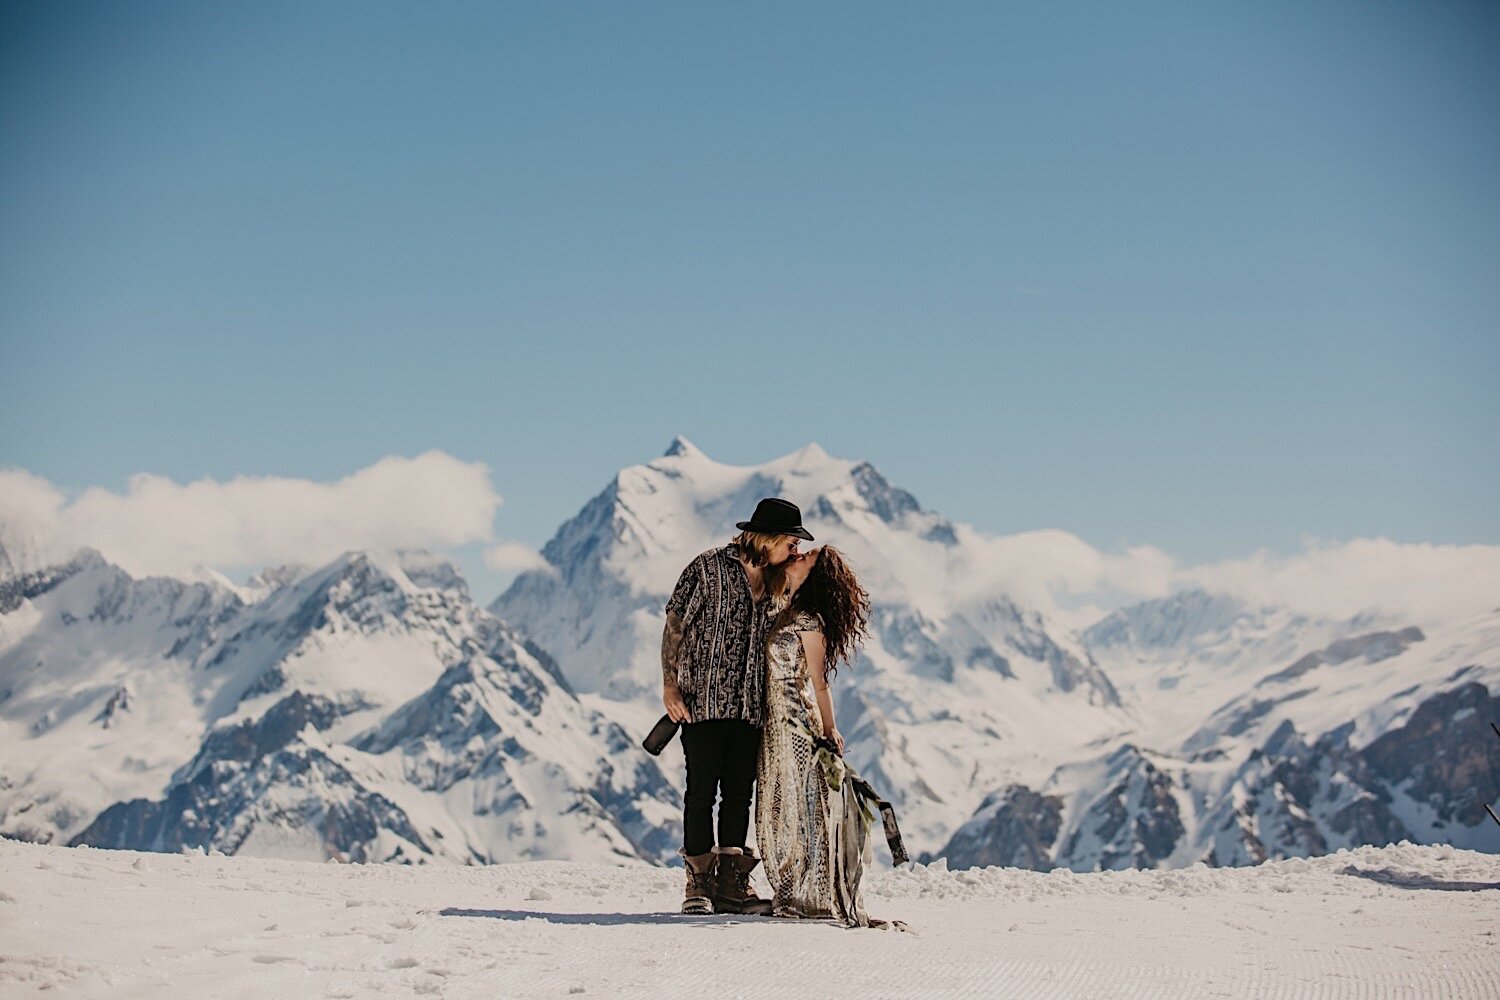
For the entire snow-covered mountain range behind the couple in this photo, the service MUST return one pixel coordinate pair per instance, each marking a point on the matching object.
(370, 710)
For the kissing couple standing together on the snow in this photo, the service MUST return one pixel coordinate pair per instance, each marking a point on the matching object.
(755, 630)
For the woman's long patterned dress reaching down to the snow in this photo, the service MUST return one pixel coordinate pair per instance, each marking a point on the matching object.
(811, 827)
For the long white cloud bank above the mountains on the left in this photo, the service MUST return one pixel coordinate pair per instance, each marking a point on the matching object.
(161, 527)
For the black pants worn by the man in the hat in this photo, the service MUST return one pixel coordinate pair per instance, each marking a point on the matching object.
(722, 758)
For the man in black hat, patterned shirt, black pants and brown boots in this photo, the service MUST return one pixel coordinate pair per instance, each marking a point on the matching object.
(713, 681)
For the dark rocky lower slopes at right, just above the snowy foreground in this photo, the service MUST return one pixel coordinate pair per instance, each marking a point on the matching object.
(1291, 798)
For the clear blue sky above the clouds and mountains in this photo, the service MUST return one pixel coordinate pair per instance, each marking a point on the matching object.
(1204, 277)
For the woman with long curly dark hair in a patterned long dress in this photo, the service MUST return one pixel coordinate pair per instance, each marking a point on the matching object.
(812, 824)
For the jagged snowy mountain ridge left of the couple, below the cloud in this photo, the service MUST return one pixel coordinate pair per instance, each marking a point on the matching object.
(281, 725)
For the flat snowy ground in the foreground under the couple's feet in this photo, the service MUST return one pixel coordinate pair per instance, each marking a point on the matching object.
(1372, 923)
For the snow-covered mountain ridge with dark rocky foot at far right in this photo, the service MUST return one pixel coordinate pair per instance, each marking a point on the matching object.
(1367, 738)
